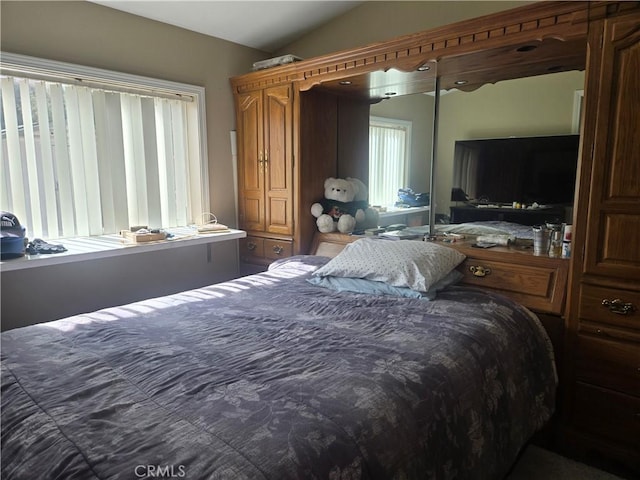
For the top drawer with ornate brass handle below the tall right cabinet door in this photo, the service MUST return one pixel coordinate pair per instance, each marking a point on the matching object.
(592, 308)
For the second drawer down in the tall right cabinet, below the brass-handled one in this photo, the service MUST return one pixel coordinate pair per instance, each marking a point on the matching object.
(610, 364)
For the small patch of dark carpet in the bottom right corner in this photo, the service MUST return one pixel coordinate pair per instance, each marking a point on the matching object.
(539, 464)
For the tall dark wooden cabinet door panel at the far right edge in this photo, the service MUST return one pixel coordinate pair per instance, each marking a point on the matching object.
(614, 218)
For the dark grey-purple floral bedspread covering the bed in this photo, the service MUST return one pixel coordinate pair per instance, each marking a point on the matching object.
(269, 377)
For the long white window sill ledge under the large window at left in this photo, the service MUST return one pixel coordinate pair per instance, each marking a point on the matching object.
(91, 248)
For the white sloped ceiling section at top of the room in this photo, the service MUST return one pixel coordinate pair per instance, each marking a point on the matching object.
(264, 25)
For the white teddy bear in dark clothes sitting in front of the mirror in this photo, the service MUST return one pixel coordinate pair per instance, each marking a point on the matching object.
(344, 207)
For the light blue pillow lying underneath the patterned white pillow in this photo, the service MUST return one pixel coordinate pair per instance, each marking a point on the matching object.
(372, 287)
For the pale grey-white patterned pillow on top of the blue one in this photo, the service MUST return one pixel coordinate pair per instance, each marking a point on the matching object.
(400, 263)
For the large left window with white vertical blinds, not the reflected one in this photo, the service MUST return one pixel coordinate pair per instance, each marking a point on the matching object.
(91, 152)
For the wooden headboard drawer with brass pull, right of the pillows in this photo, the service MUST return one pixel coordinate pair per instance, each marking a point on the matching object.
(538, 287)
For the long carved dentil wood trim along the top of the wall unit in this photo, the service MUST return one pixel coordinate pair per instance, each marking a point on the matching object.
(560, 20)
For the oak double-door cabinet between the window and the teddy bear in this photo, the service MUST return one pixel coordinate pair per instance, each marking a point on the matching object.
(288, 144)
